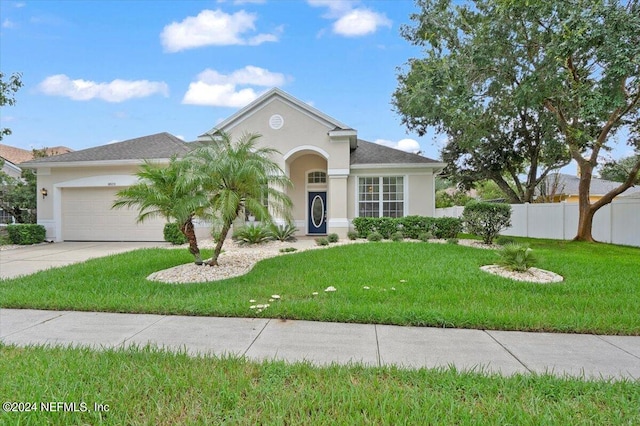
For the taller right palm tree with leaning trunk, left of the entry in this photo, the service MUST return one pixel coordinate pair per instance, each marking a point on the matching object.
(238, 176)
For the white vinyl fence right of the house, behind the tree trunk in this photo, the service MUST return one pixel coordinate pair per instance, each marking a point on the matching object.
(617, 222)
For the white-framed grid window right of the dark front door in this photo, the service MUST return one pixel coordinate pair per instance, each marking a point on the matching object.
(381, 196)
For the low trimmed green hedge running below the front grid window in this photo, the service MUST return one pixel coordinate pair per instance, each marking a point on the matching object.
(411, 226)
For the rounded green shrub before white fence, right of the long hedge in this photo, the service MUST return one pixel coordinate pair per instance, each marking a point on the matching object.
(486, 219)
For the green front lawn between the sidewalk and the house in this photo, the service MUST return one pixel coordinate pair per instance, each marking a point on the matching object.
(435, 285)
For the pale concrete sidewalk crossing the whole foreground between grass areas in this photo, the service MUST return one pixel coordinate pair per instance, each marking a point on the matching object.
(504, 352)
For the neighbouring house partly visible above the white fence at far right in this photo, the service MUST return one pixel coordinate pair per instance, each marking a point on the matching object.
(562, 187)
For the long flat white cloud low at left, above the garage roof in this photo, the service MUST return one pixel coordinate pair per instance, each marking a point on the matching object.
(114, 91)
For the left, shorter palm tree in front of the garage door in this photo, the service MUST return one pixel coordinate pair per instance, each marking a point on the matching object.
(165, 192)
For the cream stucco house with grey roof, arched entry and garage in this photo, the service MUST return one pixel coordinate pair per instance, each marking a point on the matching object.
(336, 176)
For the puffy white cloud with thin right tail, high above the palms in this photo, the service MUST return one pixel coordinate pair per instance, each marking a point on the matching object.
(213, 28)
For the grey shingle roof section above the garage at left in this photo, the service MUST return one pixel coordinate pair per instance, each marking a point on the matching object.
(160, 145)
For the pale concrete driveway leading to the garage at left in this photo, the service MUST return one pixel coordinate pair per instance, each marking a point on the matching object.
(29, 259)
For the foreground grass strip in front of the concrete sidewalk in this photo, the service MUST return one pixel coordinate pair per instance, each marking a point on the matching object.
(146, 386)
